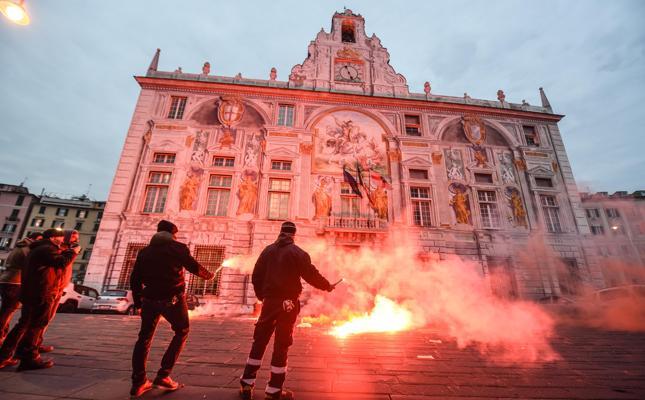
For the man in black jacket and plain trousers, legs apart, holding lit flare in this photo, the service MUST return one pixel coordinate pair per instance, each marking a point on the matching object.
(158, 287)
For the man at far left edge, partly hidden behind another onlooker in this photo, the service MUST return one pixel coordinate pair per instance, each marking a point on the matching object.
(10, 281)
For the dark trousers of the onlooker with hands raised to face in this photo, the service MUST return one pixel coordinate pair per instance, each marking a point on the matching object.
(26, 336)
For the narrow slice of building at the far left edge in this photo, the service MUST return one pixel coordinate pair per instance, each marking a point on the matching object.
(15, 203)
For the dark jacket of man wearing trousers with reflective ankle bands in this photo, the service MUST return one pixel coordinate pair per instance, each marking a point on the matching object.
(279, 268)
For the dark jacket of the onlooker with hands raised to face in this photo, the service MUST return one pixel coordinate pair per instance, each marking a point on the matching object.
(46, 270)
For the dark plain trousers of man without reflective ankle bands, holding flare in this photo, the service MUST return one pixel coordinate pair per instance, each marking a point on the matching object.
(177, 315)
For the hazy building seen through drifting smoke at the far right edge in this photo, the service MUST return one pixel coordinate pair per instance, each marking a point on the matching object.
(617, 224)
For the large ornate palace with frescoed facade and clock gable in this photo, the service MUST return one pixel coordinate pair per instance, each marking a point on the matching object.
(229, 158)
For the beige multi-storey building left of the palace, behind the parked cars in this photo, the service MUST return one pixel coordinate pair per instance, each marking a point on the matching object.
(78, 213)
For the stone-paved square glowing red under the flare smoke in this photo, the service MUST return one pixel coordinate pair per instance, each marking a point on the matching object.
(93, 362)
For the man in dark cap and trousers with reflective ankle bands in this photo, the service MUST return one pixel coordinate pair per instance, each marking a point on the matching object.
(276, 281)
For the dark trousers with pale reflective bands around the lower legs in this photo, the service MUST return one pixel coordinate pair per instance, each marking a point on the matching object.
(279, 316)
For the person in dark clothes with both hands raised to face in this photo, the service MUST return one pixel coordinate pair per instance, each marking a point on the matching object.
(48, 265)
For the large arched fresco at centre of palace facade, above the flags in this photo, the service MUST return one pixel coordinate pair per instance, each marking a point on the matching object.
(347, 137)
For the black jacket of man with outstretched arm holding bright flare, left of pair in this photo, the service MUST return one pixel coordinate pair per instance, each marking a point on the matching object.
(158, 273)
